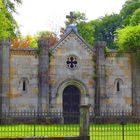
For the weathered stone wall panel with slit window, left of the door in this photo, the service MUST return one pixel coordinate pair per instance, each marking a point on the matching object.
(23, 80)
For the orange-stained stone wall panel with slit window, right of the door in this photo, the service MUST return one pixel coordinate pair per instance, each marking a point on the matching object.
(118, 70)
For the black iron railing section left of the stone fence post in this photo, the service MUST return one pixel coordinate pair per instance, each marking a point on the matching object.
(27, 124)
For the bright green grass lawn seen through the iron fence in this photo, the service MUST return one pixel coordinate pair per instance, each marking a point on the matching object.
(97, 131)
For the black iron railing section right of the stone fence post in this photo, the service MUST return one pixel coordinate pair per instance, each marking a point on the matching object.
(115, 125)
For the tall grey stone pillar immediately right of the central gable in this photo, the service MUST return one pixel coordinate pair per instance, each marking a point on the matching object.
(100, 72)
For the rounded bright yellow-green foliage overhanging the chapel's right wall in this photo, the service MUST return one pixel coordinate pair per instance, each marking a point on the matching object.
(128, 38)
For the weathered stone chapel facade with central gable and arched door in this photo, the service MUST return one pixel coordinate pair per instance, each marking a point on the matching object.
(67, 75)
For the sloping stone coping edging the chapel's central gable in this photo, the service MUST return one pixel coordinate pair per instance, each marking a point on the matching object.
(65, 36)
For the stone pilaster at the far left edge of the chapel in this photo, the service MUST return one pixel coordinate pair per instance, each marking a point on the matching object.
(4, 73)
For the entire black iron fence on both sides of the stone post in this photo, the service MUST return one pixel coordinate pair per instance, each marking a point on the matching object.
(115, 125)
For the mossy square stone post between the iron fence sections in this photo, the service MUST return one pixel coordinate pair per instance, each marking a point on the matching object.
(84, 122)
